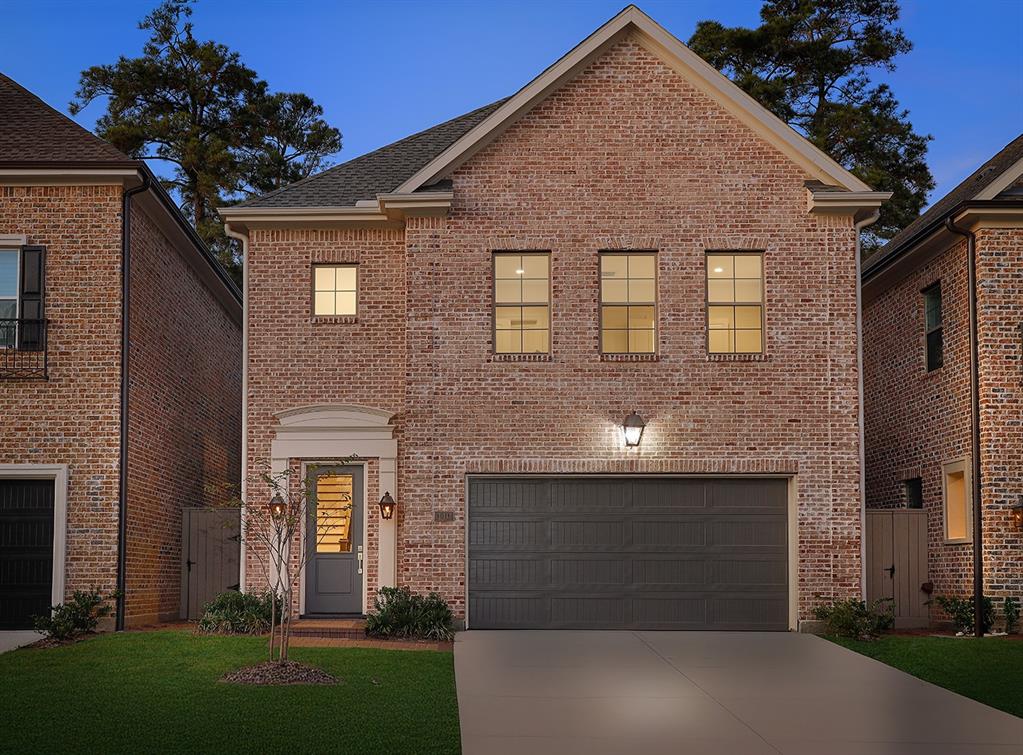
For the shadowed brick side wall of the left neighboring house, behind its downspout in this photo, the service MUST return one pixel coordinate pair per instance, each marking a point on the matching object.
(185, 414)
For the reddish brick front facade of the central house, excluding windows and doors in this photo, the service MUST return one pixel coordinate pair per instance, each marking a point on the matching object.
(627, 156)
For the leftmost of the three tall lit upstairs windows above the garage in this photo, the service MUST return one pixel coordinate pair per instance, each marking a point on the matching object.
(522, 303)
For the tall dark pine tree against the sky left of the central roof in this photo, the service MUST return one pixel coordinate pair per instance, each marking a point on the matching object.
(194, 105)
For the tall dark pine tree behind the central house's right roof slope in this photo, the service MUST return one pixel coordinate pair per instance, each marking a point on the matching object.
(811, 63)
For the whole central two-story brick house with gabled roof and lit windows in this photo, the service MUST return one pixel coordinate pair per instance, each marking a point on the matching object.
(474, 312)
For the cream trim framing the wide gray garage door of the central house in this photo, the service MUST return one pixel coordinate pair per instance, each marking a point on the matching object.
(792, 513)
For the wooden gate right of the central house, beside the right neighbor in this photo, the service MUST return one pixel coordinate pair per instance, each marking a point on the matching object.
(897, 563)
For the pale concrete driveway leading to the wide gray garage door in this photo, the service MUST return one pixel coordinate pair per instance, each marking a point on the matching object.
(691, 693)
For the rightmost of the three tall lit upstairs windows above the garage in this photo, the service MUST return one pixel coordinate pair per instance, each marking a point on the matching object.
(735, 303)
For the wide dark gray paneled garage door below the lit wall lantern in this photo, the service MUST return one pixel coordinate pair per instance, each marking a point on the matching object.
(628, 554)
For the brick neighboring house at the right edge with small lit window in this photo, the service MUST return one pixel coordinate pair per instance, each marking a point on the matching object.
(917, 348)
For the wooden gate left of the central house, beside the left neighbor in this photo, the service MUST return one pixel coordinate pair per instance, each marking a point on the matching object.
(211, 547)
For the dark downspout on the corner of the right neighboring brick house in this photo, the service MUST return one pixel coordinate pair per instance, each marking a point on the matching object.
(978, 509)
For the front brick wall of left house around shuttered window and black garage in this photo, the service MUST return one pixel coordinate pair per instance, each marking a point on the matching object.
(73, 418)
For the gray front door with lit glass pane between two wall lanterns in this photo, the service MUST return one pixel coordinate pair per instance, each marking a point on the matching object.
(334, 541)
